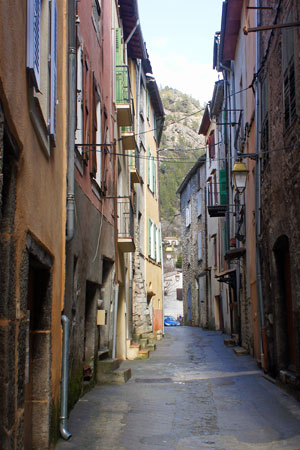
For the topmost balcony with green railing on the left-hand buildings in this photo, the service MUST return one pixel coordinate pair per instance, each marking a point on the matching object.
(124, 113)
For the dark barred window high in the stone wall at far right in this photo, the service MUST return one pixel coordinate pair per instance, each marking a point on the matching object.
(288, 68)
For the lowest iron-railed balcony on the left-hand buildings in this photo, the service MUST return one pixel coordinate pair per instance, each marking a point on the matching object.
(125, 226)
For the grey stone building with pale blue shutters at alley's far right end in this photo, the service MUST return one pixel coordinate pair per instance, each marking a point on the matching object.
(194, 245)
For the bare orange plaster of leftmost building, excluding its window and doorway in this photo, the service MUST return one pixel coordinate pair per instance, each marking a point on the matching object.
(40, 193)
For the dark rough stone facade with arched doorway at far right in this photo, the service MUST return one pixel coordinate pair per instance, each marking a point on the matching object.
(280, 219)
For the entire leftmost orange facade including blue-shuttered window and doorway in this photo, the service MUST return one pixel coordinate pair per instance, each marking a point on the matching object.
(33, 101)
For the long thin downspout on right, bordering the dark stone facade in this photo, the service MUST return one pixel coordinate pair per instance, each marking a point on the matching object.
(262, 334)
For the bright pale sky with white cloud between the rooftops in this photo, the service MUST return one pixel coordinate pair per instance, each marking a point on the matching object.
(179, 36)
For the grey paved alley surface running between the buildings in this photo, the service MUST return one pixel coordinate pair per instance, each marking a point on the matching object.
(193, 393)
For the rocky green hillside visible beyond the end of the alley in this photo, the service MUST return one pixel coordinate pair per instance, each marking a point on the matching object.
(179, 149)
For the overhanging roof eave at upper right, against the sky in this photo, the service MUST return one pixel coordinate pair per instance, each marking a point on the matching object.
(230, 28)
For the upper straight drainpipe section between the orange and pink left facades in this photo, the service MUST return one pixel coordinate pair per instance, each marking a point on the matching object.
(71, 122)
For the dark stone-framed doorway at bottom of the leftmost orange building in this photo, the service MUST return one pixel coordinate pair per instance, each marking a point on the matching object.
(38, 357)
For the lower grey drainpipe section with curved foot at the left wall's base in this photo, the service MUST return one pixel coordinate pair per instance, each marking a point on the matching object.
(64, 384)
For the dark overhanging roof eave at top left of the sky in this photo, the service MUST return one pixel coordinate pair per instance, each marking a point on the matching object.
(130, 15)
